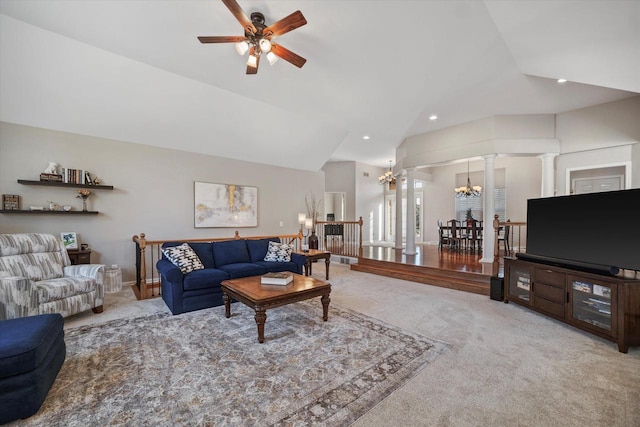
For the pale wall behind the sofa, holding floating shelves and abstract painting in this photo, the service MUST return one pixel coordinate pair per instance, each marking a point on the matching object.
(153, 191)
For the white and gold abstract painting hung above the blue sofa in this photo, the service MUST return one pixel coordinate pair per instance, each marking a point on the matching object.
(225, 205)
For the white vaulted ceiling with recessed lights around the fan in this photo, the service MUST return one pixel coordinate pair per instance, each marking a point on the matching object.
(134, 71)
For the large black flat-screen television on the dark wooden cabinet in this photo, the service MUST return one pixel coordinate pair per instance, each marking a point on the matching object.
(595, 231)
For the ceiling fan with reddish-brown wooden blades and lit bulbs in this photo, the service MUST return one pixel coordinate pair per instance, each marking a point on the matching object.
(258, 37)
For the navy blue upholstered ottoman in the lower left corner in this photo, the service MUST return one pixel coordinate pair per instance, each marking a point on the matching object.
(32, 351)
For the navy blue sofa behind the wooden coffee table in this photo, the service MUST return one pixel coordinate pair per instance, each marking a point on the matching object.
(223, 260)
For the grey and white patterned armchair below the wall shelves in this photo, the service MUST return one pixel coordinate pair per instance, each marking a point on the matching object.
(36, 277)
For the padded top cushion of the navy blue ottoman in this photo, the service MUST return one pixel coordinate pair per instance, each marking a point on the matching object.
(26, 341)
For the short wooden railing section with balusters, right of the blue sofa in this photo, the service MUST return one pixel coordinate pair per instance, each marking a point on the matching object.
(340, 237)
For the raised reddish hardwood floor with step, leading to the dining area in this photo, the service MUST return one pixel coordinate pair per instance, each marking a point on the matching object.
(449, 269)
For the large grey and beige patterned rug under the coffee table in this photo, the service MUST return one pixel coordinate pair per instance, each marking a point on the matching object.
(201, 368)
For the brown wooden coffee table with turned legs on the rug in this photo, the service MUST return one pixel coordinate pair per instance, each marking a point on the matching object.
(249, 291)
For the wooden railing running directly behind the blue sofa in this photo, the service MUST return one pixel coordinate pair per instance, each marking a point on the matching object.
(148, 252)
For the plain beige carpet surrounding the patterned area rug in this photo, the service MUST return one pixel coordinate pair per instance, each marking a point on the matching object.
(507, 366)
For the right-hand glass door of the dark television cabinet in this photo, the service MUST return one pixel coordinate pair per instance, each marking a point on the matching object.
(591, 304)
